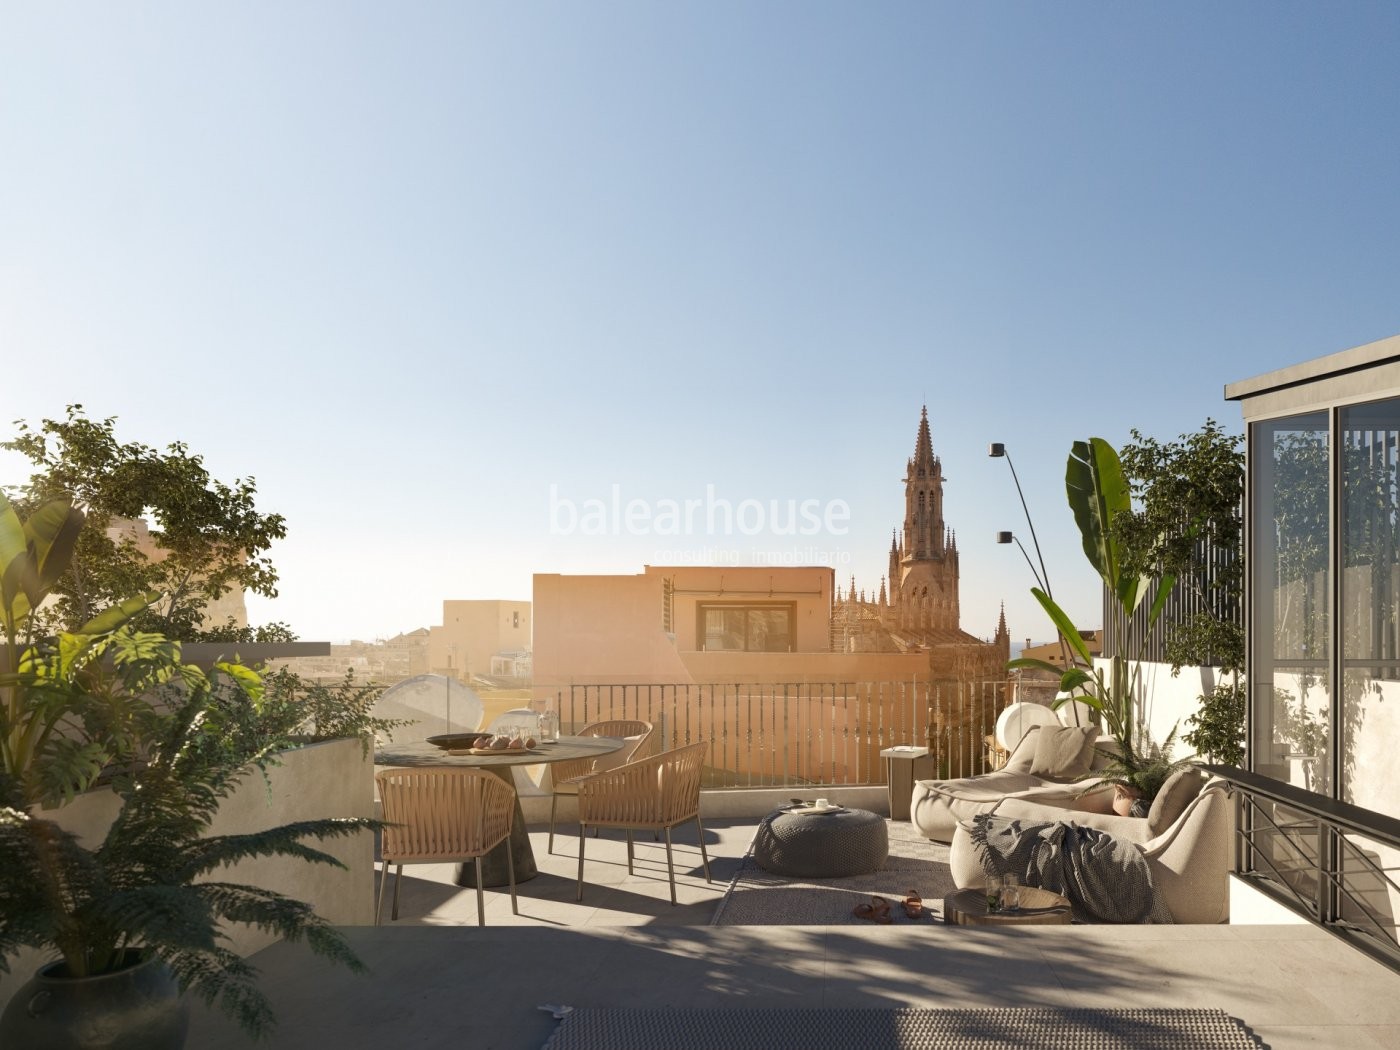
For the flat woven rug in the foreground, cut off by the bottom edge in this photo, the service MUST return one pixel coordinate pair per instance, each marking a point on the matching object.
(1027, 1028)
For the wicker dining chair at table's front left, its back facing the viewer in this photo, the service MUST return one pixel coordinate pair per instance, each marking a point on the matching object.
(443, 815)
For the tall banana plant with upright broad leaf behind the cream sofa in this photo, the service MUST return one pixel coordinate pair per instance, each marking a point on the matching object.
(1098, 492)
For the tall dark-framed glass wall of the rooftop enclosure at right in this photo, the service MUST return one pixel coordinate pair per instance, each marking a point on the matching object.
(1325, 586)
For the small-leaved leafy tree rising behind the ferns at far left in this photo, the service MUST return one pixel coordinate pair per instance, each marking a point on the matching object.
(212, 534)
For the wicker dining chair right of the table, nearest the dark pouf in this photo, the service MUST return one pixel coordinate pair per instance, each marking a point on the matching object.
(656, 794)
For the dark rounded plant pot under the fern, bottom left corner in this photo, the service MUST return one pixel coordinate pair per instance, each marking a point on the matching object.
(135, 1009)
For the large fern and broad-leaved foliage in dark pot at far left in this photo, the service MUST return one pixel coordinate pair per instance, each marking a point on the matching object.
(136, 918)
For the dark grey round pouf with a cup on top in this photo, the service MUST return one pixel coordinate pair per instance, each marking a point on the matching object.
(824, 846)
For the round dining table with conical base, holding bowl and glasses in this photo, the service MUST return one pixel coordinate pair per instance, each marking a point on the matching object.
(495, 871)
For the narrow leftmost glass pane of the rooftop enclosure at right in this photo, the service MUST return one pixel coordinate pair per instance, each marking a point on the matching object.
(1290, 617)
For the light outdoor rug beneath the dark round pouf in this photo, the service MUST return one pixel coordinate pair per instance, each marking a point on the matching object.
(759, 898)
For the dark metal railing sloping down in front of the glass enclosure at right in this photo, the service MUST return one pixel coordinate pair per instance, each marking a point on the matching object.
(1321, 859)
